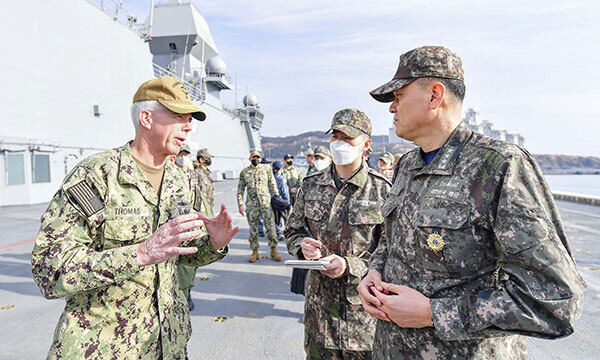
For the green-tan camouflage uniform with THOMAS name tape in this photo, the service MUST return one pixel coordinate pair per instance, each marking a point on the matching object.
(86, 252)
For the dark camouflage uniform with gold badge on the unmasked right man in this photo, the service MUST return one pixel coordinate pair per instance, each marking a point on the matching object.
(478, 232)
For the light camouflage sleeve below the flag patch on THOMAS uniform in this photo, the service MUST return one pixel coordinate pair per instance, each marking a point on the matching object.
(64, 261)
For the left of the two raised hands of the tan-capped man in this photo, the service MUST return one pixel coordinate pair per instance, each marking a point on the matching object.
(162, 245)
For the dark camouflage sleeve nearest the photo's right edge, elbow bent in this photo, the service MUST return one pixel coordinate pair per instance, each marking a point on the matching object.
(539, 291)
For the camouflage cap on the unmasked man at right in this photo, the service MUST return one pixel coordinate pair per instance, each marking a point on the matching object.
(425, 61)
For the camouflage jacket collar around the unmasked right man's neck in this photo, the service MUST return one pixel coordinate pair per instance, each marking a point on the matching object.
(445, 160)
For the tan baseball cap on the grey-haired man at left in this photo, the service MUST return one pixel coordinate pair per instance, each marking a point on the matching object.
(171, 93)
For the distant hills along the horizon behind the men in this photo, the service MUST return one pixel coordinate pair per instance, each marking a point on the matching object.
(277, 147)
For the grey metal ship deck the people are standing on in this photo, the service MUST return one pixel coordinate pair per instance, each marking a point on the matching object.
(263, 319)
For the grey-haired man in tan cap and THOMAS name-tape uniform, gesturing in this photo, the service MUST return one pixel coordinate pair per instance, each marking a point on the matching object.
(108, 241)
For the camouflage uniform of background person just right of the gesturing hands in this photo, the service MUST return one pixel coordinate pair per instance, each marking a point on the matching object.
(257, 182)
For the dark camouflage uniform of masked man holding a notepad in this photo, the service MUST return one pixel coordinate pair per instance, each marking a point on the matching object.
(346, 221)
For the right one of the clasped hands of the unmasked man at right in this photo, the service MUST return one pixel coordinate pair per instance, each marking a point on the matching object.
(405, 306)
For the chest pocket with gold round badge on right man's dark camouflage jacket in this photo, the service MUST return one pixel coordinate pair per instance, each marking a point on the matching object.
(446, 241)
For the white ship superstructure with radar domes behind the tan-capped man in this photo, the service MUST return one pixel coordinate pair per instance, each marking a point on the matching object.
(67, 94)
